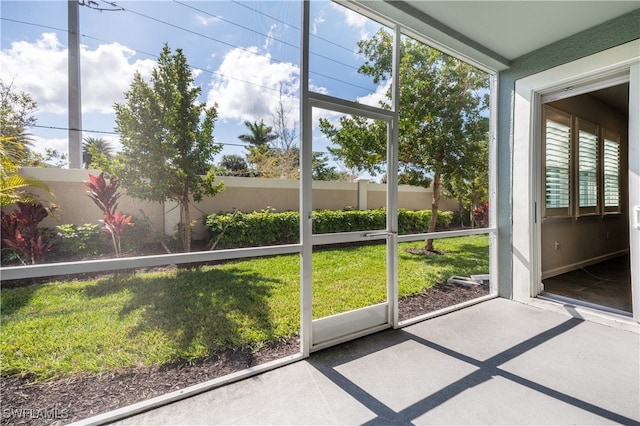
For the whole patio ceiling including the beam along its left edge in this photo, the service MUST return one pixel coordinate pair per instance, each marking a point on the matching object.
(496, 32)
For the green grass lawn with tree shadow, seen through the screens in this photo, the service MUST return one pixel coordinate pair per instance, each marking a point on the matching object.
(61, 328)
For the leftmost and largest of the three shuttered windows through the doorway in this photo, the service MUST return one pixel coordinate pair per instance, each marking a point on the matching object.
(557, 157)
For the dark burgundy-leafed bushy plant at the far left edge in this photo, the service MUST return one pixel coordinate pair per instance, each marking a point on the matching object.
(20, 231)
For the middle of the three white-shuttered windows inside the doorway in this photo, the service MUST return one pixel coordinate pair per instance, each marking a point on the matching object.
(587, 167)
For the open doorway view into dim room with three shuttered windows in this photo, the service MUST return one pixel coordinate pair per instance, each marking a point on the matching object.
(585, 197)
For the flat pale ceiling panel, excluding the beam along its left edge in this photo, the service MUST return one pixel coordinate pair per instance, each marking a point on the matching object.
(514, 28)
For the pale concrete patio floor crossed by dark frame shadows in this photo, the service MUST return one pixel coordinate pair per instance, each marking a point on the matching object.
(498, 362)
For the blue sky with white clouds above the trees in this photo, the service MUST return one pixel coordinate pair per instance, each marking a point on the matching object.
(241, 54)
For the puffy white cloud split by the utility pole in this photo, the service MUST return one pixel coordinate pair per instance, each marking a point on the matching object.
(40, 69)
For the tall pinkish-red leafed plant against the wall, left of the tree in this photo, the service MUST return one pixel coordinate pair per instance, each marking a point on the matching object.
(106, 198)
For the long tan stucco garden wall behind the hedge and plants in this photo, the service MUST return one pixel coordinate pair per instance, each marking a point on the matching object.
(244, 194)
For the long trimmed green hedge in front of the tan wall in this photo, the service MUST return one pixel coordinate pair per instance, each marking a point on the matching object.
(267, 228)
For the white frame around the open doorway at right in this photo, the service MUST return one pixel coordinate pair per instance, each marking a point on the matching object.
(528, 99)
